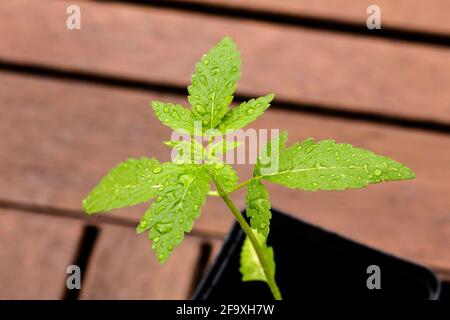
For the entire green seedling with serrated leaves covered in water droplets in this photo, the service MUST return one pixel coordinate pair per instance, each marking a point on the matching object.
(180, 187)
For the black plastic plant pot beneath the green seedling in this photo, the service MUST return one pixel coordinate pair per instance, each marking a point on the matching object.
(313, 263)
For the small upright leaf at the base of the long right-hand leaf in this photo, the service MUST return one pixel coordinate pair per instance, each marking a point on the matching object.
(269, 158)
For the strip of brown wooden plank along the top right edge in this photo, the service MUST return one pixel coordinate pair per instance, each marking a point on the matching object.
(425, 16)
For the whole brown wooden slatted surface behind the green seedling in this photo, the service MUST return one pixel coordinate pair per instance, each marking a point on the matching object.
(60, 136)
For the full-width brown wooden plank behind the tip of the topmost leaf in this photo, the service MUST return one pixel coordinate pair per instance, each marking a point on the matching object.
(301, 65)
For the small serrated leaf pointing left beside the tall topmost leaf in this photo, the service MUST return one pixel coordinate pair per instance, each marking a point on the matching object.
(175, 116)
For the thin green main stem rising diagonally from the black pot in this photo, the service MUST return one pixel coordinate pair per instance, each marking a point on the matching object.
(249, 232)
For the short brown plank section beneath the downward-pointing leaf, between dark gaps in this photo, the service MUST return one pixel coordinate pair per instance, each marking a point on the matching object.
(124, 267)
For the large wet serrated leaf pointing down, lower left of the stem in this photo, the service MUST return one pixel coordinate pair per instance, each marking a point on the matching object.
(175, 208)
